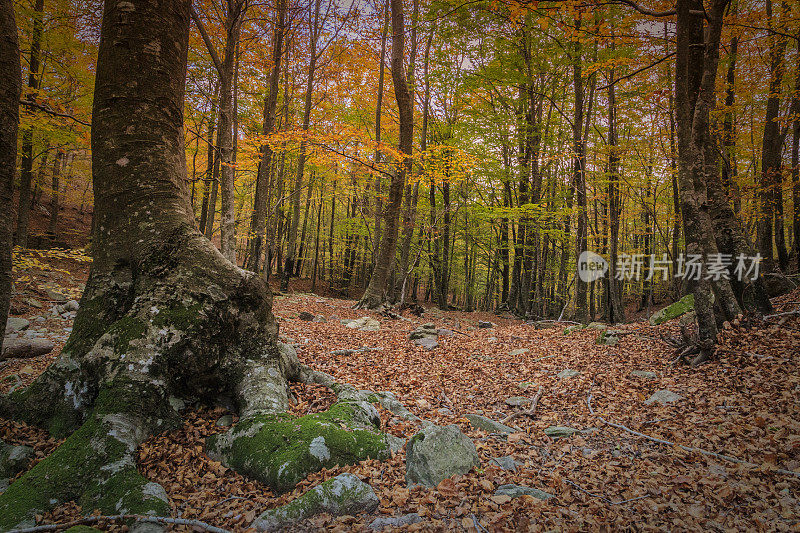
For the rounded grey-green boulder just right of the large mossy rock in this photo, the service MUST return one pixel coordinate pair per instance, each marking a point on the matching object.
(437, 453)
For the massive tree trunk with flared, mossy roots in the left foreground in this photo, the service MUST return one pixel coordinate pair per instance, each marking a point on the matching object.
(163, 313)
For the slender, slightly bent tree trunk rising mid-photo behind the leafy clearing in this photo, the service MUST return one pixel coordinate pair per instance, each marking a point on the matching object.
(375, 295)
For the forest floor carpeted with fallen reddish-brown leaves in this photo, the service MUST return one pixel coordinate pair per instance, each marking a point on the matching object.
(745, 404)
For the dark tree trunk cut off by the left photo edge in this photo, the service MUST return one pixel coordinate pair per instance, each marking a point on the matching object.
(10, 90)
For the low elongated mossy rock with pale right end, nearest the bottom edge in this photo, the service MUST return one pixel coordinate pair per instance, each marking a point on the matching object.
(343, 495)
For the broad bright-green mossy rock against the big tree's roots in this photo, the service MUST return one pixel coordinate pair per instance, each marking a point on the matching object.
(281, 450)
